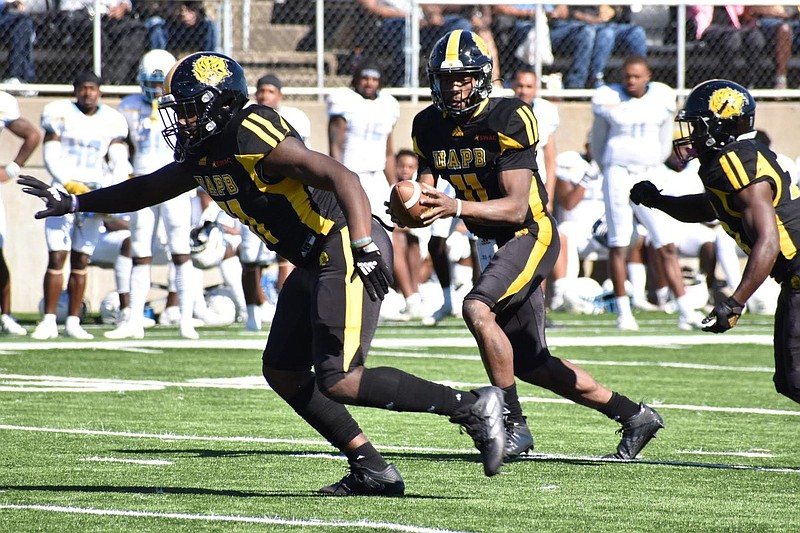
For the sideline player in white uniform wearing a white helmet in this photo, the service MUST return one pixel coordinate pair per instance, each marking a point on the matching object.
(151, 152)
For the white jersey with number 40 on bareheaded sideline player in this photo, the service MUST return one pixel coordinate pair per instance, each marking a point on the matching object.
(84, 138)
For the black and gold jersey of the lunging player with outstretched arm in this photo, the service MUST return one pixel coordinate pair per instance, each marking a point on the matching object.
(290, 217)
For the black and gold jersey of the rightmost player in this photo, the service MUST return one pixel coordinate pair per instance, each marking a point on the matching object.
(737, 166)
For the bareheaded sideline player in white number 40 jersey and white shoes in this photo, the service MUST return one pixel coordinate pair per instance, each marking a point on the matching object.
(84, 149)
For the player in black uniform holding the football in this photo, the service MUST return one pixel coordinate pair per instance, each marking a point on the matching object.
(487, 149)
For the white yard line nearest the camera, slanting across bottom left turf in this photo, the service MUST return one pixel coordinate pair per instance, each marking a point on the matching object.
(311, 522)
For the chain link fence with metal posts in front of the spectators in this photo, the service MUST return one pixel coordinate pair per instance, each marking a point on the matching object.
(315, 44)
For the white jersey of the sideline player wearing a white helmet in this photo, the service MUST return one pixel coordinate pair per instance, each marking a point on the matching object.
(151, 150)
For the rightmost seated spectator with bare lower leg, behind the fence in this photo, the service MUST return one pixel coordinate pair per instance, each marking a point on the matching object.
(778, 23)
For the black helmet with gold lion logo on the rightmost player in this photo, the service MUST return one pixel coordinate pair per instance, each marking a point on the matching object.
(715, 113)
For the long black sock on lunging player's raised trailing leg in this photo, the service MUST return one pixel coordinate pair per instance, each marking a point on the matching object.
(390, 388)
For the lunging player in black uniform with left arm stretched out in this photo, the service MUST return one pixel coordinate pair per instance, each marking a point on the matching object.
(310, 210)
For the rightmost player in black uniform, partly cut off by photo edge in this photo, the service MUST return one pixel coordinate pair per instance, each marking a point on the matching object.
(756, 203)
